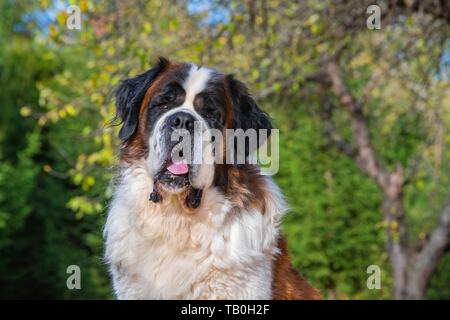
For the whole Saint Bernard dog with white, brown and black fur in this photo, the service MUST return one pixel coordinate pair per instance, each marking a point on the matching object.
(177, 230)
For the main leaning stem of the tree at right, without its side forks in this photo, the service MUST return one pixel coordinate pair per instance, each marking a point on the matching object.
(391, 183)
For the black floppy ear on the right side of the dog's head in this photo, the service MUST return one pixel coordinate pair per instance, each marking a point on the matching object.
(247, 114)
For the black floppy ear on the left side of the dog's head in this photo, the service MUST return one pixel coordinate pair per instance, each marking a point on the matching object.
(129, 96)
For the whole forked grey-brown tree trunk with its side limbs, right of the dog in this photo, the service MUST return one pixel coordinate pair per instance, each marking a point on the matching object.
(411, 269)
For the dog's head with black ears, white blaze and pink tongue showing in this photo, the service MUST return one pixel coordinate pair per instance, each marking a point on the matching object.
(172, 101)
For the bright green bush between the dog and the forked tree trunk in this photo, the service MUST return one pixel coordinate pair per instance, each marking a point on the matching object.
(329, 197)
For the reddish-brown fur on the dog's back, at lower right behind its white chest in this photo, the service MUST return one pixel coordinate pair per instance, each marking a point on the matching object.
(287, 282)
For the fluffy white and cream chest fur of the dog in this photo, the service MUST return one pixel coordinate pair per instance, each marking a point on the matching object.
(155, 251)
